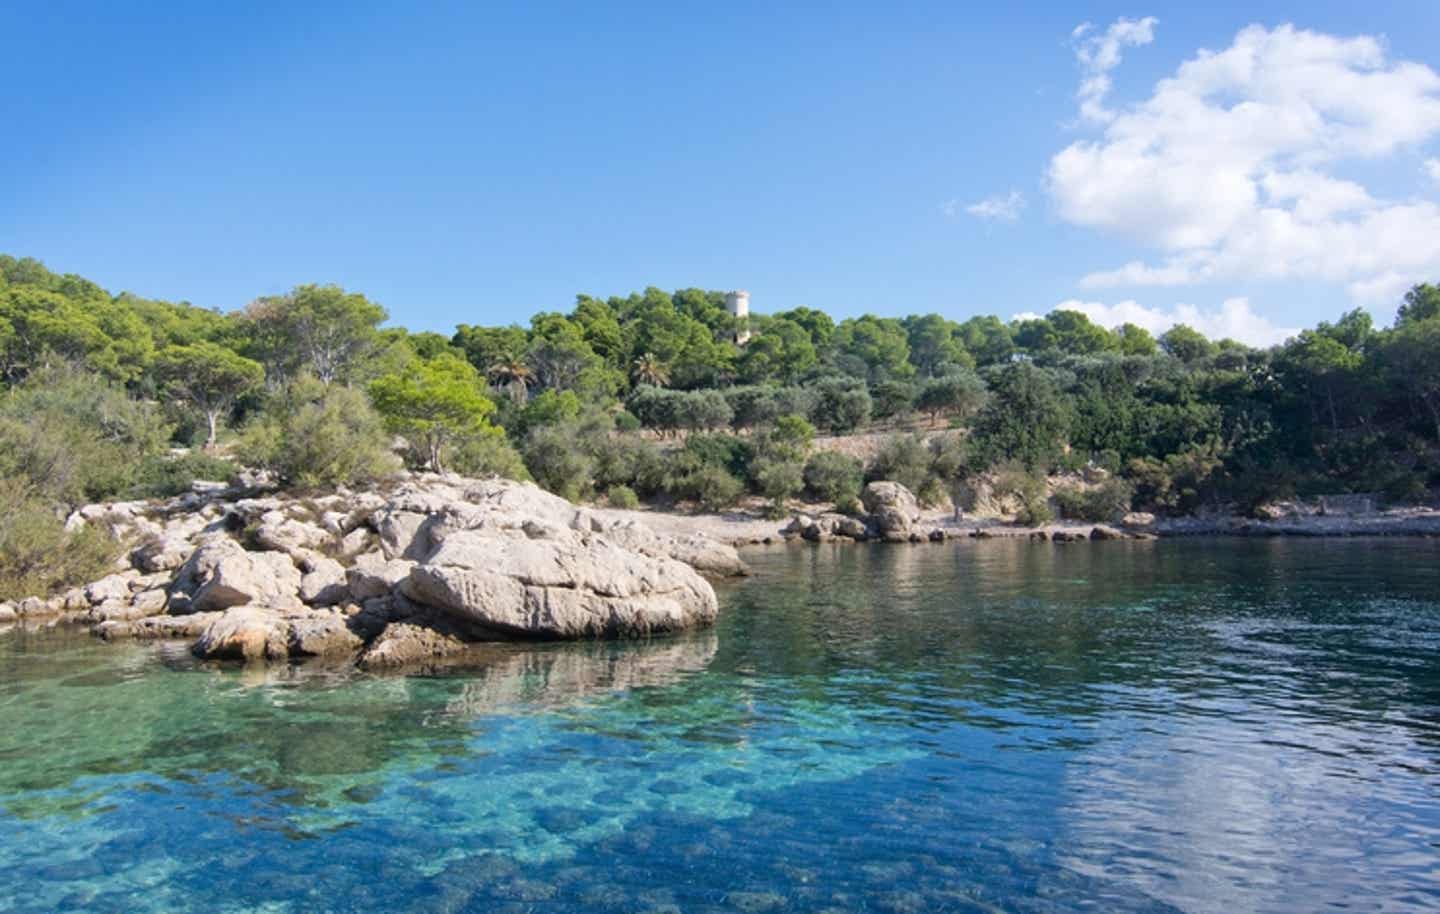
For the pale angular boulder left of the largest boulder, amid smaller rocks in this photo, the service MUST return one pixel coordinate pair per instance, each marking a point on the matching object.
(221, 575)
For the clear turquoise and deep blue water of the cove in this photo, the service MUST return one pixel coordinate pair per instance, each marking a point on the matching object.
(1183, 726)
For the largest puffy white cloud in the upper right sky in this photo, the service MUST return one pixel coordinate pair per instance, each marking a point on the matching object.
(1229, 168)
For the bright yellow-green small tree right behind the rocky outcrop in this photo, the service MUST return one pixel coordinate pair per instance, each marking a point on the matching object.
(434, 405)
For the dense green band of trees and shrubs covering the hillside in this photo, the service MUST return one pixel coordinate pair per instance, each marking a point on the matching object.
(649, 397)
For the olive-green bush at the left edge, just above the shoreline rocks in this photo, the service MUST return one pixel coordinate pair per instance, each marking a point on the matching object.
(38, 558)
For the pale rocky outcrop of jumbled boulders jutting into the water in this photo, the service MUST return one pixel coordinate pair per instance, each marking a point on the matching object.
(388, 579)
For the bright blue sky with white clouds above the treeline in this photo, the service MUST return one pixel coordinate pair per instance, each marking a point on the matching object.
(467, 163)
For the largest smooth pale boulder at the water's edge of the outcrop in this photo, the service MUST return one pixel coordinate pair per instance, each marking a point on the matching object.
(564, 587)
